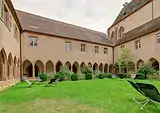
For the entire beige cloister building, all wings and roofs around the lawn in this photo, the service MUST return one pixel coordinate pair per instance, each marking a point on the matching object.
(30, 43)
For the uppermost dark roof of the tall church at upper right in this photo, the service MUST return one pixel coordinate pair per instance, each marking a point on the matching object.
(130, 8)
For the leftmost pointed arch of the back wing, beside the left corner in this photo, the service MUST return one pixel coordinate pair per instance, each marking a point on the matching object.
(27, 68)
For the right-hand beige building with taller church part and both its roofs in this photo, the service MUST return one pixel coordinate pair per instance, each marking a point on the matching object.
(137, 28)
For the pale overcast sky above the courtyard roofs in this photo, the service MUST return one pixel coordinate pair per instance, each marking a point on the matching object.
(92, 14)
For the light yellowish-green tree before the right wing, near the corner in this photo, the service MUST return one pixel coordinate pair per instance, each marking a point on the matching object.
(125, 57)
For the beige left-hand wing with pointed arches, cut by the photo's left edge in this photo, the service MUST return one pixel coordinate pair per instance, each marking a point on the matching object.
(9, 43)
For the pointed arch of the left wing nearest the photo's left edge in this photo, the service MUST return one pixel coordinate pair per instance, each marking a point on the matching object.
(3, 65)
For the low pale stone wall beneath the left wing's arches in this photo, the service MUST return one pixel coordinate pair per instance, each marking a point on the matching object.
(5, 84)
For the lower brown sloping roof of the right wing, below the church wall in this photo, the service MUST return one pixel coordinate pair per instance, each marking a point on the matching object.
(140, 31)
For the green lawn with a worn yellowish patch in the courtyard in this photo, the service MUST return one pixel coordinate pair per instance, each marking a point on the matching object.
(95, 96)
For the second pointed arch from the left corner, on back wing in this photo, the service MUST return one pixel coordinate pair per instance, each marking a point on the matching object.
(39, 67)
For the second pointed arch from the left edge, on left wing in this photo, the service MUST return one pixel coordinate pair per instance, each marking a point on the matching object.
(10, 66)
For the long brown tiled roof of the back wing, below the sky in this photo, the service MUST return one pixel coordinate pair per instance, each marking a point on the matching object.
(39, 24)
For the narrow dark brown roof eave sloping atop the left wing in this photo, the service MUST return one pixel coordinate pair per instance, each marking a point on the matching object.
(11, 8)
